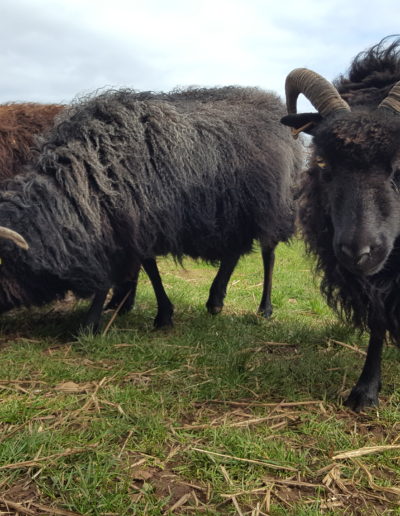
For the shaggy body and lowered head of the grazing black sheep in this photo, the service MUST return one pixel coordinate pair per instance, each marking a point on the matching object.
(127, 176)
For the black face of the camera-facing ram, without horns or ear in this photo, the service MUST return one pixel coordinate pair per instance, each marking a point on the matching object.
(358, 165)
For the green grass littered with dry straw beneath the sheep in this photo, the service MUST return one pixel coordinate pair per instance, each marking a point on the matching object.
(227, 414)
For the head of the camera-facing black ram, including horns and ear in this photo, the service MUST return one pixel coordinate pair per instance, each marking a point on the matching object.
(357, 154)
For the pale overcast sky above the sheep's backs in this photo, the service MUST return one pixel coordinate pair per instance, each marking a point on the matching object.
(54, 50)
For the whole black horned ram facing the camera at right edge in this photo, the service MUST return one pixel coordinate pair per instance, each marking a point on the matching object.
(350, 196)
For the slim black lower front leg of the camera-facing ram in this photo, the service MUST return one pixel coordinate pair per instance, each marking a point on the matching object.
(365, 392)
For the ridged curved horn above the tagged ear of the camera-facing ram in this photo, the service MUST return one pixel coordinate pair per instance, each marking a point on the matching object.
(320, 92)
